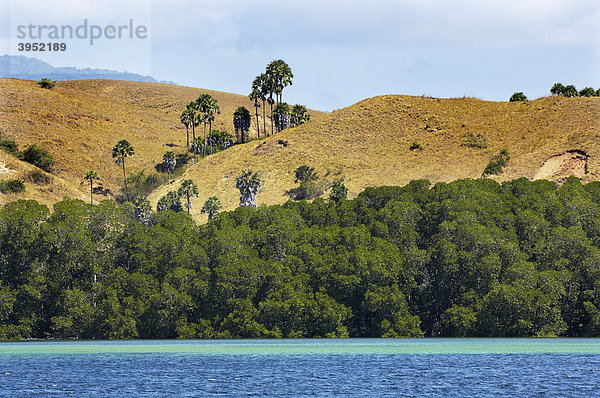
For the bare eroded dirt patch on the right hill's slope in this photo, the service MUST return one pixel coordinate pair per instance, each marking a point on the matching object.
(559, 167)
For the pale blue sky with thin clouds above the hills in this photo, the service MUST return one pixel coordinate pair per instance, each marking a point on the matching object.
(339, 51)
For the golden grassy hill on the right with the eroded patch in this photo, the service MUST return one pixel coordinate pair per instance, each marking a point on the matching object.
(368, 145)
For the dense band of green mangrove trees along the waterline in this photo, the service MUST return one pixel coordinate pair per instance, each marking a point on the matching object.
(468, 258)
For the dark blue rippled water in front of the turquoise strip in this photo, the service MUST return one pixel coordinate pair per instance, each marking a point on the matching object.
(189, 373)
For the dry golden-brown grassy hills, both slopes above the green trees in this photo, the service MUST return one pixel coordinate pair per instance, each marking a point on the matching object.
(367, 144)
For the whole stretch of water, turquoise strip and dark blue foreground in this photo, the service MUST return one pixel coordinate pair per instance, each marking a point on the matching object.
(292, 368)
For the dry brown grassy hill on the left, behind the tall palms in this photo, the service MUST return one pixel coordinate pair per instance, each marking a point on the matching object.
(80, 121)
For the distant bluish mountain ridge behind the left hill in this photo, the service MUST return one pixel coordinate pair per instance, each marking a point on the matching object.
(20, 67)
